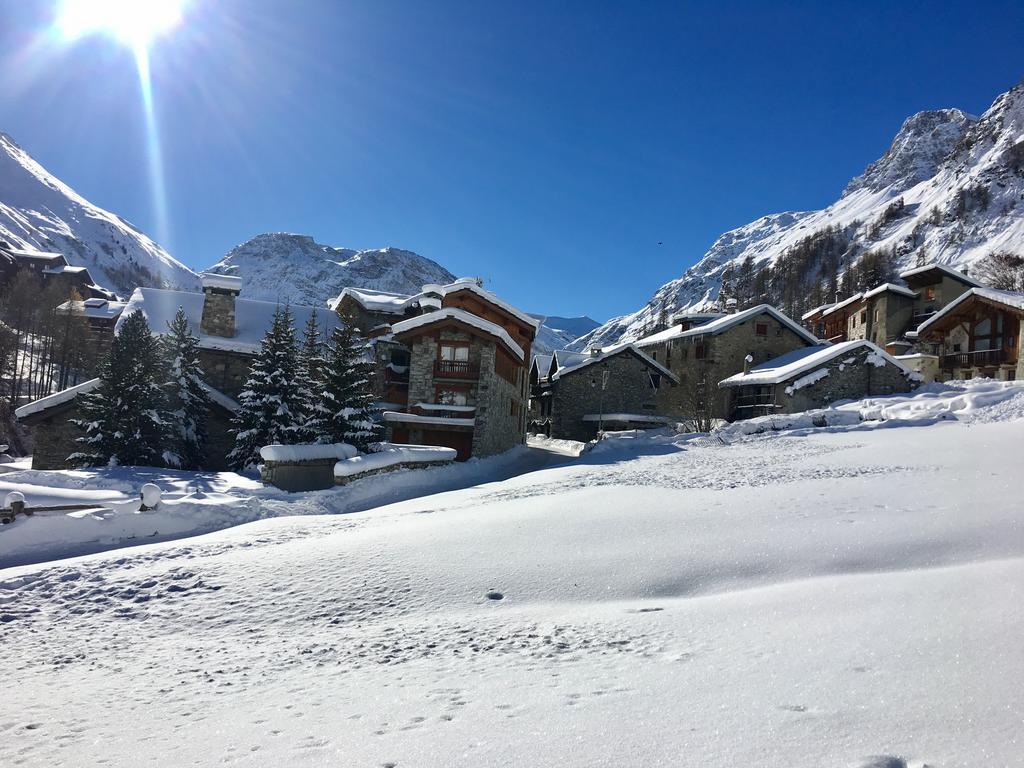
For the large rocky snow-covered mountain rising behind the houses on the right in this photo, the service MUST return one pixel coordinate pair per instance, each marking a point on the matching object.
(951, 189)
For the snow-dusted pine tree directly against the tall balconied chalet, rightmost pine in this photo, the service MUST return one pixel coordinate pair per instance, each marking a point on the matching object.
(348, 393)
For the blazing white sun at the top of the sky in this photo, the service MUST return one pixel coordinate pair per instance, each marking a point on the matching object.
(134, 23)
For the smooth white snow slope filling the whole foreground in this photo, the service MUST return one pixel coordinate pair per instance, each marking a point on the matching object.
(782, 602)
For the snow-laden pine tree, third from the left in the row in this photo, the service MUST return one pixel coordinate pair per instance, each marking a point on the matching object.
(271, 405)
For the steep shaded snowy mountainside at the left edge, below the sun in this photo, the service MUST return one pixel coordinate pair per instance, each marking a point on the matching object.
(39, 211)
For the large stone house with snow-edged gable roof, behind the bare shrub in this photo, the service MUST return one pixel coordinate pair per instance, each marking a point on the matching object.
(700, 357)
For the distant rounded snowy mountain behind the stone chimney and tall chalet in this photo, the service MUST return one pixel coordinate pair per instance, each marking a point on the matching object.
(282, 267)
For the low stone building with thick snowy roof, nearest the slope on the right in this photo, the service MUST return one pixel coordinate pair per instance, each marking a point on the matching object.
(815, 377)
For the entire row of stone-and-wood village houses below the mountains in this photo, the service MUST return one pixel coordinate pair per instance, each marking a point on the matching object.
(455, 368)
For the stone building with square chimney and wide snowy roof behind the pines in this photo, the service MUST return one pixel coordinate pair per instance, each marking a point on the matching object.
(230, 330)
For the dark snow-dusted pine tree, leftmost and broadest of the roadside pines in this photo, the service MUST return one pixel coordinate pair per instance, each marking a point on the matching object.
(125, 418)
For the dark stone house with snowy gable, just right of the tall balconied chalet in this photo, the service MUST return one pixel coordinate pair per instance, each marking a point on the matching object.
(610, 390)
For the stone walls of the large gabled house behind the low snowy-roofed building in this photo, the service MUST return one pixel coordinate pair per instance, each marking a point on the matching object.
(726, 358)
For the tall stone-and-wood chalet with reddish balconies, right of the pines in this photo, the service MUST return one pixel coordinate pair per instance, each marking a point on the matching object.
(453, 365)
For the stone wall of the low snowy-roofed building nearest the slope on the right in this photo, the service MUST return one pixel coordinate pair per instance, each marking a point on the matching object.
(845, 381)
